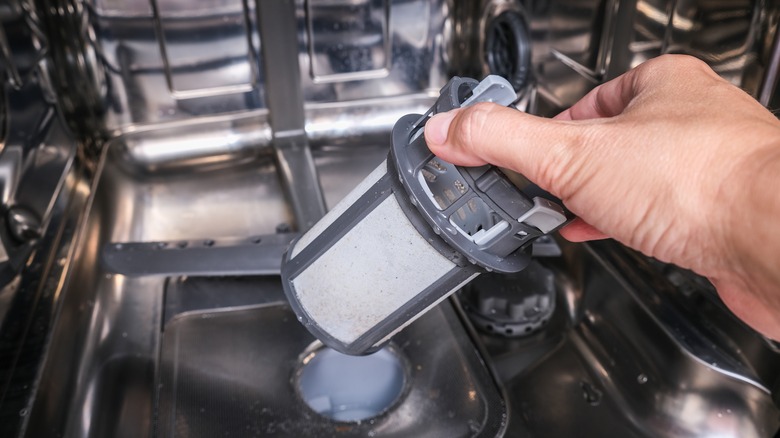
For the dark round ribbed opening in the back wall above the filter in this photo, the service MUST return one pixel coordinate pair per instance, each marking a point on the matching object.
(508, 48)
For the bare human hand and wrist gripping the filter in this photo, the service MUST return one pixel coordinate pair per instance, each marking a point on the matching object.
(669, 159)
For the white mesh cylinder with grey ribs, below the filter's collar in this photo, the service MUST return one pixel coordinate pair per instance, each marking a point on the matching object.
(363, 267)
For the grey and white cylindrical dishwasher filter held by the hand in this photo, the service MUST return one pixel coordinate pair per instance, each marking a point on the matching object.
(413, 232)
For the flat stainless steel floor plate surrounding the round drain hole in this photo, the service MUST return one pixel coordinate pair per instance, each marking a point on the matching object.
(448, 390)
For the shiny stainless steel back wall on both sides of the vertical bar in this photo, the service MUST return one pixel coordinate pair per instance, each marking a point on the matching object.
(131, 66)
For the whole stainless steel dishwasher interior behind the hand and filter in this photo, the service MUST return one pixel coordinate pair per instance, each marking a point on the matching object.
(159, 155)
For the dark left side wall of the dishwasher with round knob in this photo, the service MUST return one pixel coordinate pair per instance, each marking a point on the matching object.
(42, 201)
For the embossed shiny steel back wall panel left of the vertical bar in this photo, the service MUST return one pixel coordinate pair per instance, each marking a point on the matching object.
(169, 60)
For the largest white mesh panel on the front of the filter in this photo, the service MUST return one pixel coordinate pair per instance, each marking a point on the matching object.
(378, 266)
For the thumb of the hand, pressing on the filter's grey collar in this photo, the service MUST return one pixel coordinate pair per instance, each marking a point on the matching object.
(543, 150)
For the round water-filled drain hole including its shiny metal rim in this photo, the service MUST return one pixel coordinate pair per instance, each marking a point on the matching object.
(379, 403)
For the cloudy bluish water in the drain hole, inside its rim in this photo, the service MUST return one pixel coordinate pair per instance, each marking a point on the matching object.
(351, 388)
